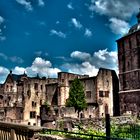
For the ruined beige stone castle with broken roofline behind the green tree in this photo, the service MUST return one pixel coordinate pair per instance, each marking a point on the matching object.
(22, 96)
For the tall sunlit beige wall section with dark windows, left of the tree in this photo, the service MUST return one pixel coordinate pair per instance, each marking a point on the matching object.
(34, 97)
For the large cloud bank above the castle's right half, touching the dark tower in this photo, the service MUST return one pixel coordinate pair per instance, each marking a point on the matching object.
(91, 63)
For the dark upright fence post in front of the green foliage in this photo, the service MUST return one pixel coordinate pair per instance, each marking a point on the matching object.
(107, 120)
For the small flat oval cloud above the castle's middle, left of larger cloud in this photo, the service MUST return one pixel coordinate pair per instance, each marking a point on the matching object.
(80, 55)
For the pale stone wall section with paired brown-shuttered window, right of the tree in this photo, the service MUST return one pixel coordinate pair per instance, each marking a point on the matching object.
(104, 92)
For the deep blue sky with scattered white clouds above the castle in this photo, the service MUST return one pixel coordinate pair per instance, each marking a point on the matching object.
(49, 36)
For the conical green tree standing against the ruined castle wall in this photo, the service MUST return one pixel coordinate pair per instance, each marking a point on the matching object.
(76, 96)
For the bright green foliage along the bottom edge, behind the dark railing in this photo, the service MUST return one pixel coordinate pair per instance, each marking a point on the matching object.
(122, 131)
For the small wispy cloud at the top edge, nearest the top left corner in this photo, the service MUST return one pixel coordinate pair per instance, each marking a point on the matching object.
(26, 4)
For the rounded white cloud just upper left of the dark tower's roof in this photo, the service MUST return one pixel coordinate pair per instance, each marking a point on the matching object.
(118, 26)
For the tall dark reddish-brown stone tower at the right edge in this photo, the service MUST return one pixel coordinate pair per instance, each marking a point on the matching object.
(129, 70)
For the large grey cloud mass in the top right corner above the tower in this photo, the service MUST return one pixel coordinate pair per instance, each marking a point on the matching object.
(118, 11)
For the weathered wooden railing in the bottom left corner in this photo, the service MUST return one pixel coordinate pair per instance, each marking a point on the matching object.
(12, 131)
